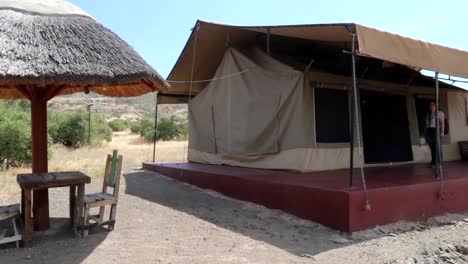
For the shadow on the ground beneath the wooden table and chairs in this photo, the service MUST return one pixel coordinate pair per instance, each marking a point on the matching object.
(54, 246)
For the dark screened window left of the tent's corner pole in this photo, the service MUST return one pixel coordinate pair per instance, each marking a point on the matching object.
(331, 116)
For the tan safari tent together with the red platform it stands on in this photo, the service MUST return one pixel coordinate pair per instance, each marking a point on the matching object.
(320, 121)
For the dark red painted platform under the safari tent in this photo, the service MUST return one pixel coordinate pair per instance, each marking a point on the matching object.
(407, 192)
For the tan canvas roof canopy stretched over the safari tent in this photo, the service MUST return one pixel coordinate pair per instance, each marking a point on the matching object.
(298, 43)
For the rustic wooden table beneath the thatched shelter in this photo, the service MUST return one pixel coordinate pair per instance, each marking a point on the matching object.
(36, 181)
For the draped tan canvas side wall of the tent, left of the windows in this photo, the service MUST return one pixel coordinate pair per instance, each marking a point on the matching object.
(259, 111)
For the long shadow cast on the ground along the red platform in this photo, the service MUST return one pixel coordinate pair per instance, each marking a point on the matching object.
(276, 228)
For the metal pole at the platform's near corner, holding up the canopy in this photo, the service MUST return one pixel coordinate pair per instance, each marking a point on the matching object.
(353, 113)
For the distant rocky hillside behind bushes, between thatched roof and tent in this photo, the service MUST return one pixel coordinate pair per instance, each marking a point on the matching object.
(131, 108)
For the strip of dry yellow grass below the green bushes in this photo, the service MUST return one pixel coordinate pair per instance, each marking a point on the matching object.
(91, 160)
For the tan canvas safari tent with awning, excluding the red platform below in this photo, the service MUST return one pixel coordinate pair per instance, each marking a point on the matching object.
(281, 97)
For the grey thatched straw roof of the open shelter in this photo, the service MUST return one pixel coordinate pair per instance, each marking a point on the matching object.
(54, 43)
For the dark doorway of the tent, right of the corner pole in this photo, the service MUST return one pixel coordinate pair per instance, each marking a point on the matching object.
(385, 128)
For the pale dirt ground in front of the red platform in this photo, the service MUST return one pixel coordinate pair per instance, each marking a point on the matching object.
(160, 220)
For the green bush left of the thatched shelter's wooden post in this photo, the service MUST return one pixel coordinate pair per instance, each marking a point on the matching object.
(15, 137)
